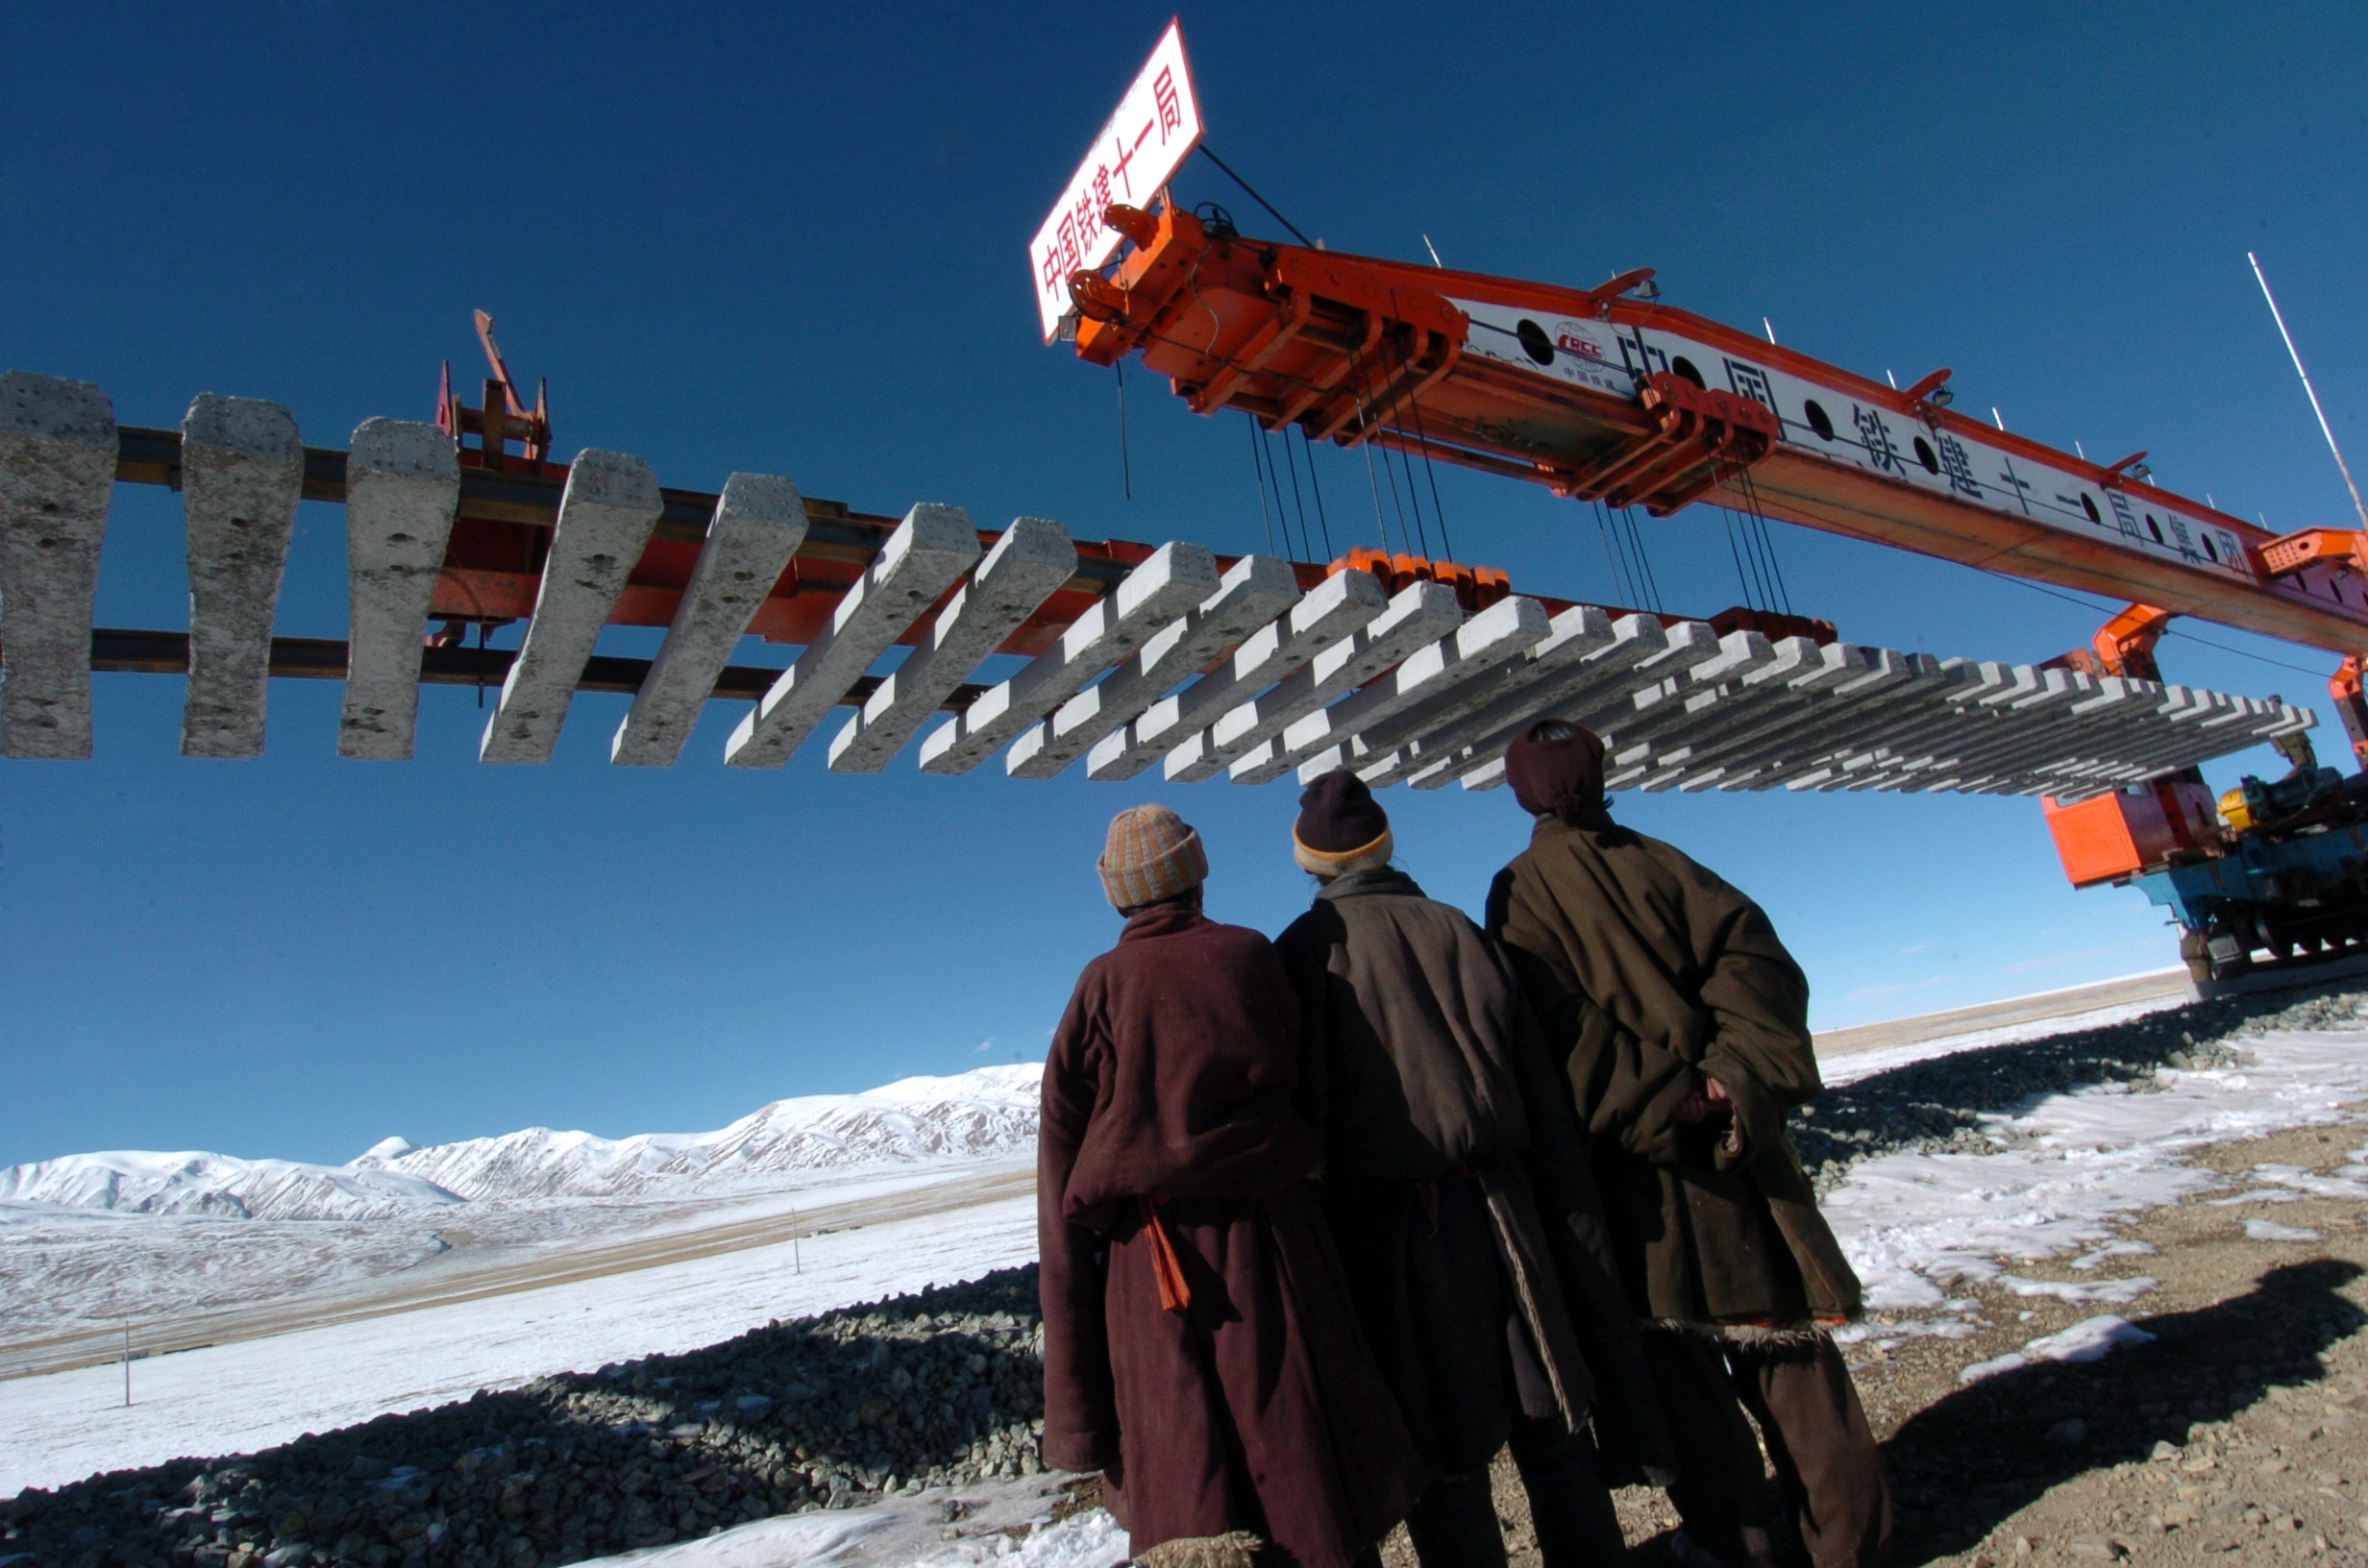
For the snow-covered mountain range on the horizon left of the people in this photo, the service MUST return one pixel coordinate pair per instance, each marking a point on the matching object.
(918, 1119)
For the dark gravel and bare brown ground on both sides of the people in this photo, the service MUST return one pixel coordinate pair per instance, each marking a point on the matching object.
(2234, 1420)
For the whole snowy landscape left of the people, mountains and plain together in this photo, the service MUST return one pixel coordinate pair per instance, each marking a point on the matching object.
(285, 1297)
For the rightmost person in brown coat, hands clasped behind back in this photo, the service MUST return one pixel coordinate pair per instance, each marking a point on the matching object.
(1687, 1036)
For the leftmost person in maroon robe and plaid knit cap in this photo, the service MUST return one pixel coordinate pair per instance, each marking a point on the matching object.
(1199, 1342)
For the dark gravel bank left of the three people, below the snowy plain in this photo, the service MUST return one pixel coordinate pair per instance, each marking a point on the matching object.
(823, 1413)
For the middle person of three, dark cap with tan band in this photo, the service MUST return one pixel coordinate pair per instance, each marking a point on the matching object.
(1460, 1193)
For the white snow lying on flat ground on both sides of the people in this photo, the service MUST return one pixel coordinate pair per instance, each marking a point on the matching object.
(1917, 1226)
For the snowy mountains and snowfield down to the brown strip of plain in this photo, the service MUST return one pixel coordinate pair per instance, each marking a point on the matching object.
(202, 1247)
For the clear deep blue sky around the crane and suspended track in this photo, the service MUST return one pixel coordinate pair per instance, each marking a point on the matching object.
(783, 240)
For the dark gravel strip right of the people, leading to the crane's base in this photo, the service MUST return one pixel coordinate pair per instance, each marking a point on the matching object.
(1938, 1105)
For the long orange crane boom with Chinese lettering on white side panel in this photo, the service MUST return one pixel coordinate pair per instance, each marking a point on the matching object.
(1640, 404)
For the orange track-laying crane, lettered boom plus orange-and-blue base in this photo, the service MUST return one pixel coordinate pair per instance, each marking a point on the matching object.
(1609, 394)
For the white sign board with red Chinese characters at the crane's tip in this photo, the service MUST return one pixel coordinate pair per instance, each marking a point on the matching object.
(1154, 131)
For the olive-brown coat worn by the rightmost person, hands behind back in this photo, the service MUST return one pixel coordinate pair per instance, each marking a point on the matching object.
(1654, 975)
